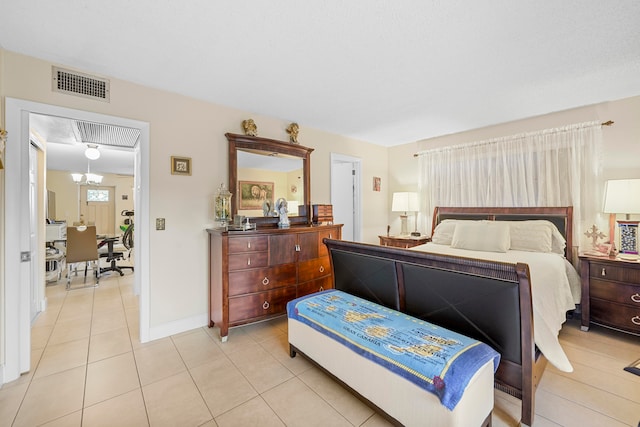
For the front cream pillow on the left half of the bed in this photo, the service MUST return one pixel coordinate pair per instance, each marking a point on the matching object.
(487, 236)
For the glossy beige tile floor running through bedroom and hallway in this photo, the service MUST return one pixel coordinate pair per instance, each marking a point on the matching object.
(89, 369)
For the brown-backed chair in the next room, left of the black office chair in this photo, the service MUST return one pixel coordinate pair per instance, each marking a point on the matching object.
(82, 247)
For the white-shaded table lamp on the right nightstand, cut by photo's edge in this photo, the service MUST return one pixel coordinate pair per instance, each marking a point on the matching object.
(622, 196)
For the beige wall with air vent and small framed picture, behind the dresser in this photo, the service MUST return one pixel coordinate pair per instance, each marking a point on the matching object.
(183, 126)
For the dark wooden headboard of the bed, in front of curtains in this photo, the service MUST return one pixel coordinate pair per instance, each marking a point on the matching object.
(561, 217)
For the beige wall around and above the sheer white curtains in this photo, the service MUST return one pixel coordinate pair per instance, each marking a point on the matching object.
(621, 142)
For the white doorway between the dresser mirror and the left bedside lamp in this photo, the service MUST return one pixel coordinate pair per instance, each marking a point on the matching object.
(346, 195)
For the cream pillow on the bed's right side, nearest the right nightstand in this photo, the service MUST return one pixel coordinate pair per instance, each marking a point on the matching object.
(530, 235)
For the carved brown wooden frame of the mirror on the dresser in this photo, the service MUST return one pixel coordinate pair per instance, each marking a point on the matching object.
(237, 141)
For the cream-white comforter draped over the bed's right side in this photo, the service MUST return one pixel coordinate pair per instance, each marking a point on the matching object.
(550, 291)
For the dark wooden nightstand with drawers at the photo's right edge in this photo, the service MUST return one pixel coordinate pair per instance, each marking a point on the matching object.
(610, 293)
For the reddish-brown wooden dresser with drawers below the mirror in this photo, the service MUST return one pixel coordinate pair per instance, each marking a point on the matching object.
(253, 274)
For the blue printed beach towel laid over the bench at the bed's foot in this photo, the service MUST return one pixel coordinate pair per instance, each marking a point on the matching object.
(434, 358)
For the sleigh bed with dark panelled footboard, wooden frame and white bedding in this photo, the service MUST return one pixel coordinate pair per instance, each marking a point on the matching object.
(487, 299)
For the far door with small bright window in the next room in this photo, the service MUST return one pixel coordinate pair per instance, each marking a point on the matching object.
(97, 206)
